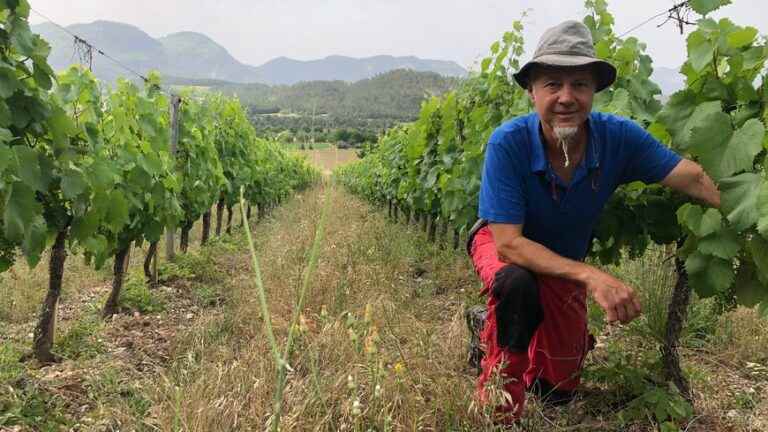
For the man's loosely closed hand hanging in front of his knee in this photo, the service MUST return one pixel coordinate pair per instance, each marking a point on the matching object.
(614, 296)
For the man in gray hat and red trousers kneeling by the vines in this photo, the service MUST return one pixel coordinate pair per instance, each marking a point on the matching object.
(546, 178)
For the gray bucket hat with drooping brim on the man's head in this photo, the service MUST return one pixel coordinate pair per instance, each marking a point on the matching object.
(568, 44)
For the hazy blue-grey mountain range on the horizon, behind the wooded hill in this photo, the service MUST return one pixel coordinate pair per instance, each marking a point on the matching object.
(196, 56)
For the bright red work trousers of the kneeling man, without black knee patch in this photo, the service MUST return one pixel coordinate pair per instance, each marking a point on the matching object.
(558, 347)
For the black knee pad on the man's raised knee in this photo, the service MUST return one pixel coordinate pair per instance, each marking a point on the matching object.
(518, 311)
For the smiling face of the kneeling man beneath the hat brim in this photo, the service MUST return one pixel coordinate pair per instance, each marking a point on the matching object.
(562, 96)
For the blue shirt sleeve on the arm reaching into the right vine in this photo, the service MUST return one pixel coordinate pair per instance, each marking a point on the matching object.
(648, 160)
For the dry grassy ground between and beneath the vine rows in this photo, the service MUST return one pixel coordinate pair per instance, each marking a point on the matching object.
(381, 345)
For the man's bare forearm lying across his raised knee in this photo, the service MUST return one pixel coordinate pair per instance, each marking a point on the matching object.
(541, 260)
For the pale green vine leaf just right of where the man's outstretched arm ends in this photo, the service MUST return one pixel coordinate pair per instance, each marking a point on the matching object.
(739, 199)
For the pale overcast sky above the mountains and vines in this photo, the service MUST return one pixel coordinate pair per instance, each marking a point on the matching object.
(255, 31)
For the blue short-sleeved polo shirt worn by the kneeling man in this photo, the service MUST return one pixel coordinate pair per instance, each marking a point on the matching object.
(520, 187)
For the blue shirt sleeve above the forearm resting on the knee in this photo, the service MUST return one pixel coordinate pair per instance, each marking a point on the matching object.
(502, 197)
